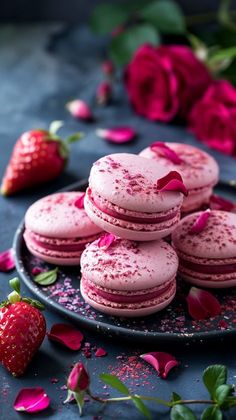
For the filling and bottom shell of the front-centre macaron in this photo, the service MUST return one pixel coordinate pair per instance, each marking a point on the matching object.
(147, 307)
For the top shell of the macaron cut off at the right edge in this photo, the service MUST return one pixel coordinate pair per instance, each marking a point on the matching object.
(217, 240)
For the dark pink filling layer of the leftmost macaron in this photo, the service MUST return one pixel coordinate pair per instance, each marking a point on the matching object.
(57, 245)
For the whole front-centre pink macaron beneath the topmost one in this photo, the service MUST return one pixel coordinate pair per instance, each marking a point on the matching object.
(128, 278)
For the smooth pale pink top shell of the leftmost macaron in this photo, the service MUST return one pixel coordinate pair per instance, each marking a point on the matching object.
(57, 216)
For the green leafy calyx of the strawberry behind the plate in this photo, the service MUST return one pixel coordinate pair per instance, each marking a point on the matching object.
(64, 145)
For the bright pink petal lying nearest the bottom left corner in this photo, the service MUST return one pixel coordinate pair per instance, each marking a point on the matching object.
(31, 400)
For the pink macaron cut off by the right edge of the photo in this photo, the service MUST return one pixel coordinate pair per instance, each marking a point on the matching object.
(206, 245)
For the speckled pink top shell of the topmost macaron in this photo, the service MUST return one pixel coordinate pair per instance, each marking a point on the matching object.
(129, 181)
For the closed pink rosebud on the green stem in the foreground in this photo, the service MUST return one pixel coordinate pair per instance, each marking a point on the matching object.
(78, 380)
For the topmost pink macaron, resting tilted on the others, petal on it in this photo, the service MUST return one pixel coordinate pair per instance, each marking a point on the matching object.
(133, 197)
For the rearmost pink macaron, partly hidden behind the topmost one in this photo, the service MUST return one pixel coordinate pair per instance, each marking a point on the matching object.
(199, 170)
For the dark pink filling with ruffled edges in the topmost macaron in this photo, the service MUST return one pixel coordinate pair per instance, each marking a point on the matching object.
(130, 216)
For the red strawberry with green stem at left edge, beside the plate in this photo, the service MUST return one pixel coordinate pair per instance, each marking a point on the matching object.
(22, 330)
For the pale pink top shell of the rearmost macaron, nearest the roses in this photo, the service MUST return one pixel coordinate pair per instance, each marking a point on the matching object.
(197, 168)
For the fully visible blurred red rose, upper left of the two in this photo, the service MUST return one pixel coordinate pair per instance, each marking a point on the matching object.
(165, 81)
